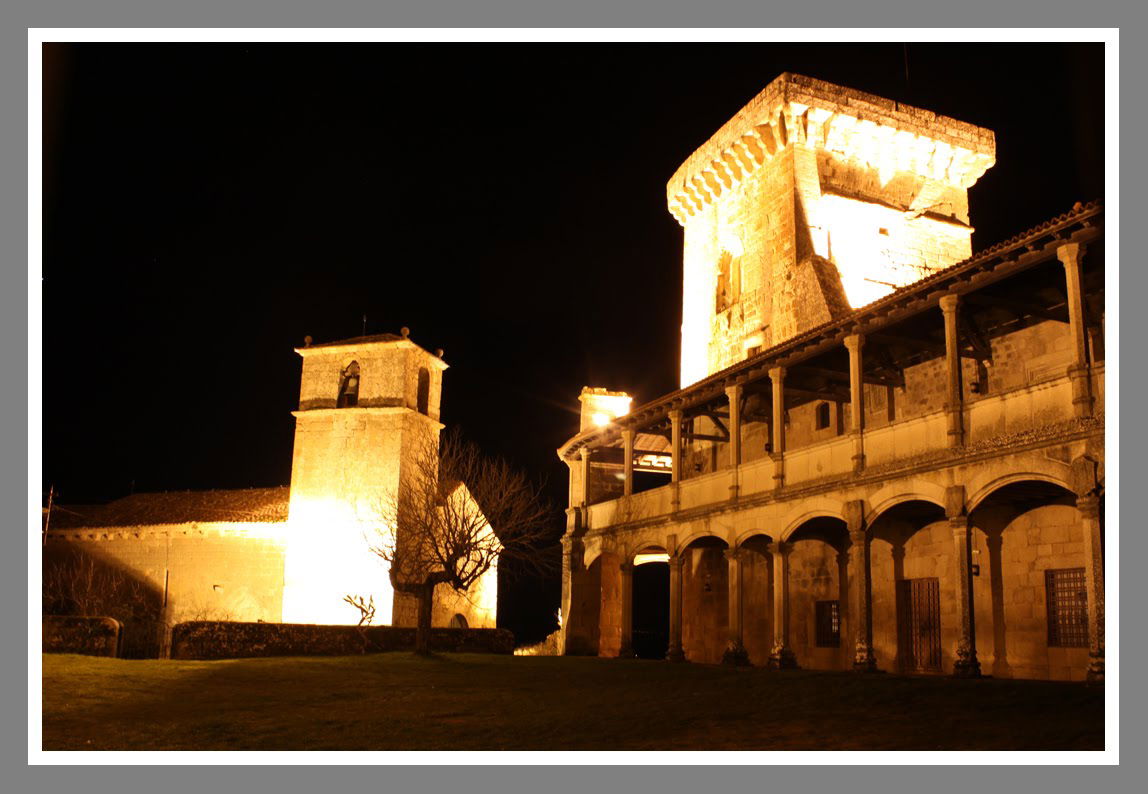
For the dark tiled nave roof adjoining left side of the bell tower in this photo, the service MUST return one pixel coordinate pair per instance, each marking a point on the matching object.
(250, 505)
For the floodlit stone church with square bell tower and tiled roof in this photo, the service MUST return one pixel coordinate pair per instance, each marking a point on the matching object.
(368, 407)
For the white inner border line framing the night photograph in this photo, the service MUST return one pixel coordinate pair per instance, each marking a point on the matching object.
(40, 36)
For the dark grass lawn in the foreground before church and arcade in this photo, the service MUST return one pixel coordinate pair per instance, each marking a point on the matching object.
(469, 702)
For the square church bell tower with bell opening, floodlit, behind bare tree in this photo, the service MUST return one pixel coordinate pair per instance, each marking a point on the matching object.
(368, 408)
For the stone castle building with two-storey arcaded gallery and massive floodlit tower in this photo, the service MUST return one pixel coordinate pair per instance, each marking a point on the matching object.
(886, 454)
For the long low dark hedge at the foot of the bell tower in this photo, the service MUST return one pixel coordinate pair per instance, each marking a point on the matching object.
(219, 640)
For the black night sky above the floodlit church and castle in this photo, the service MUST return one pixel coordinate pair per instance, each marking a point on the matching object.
(208, 206)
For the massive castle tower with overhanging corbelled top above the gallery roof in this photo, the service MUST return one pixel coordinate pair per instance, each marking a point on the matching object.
(815, 200)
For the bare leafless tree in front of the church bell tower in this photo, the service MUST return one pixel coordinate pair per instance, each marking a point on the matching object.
(457, 513)
